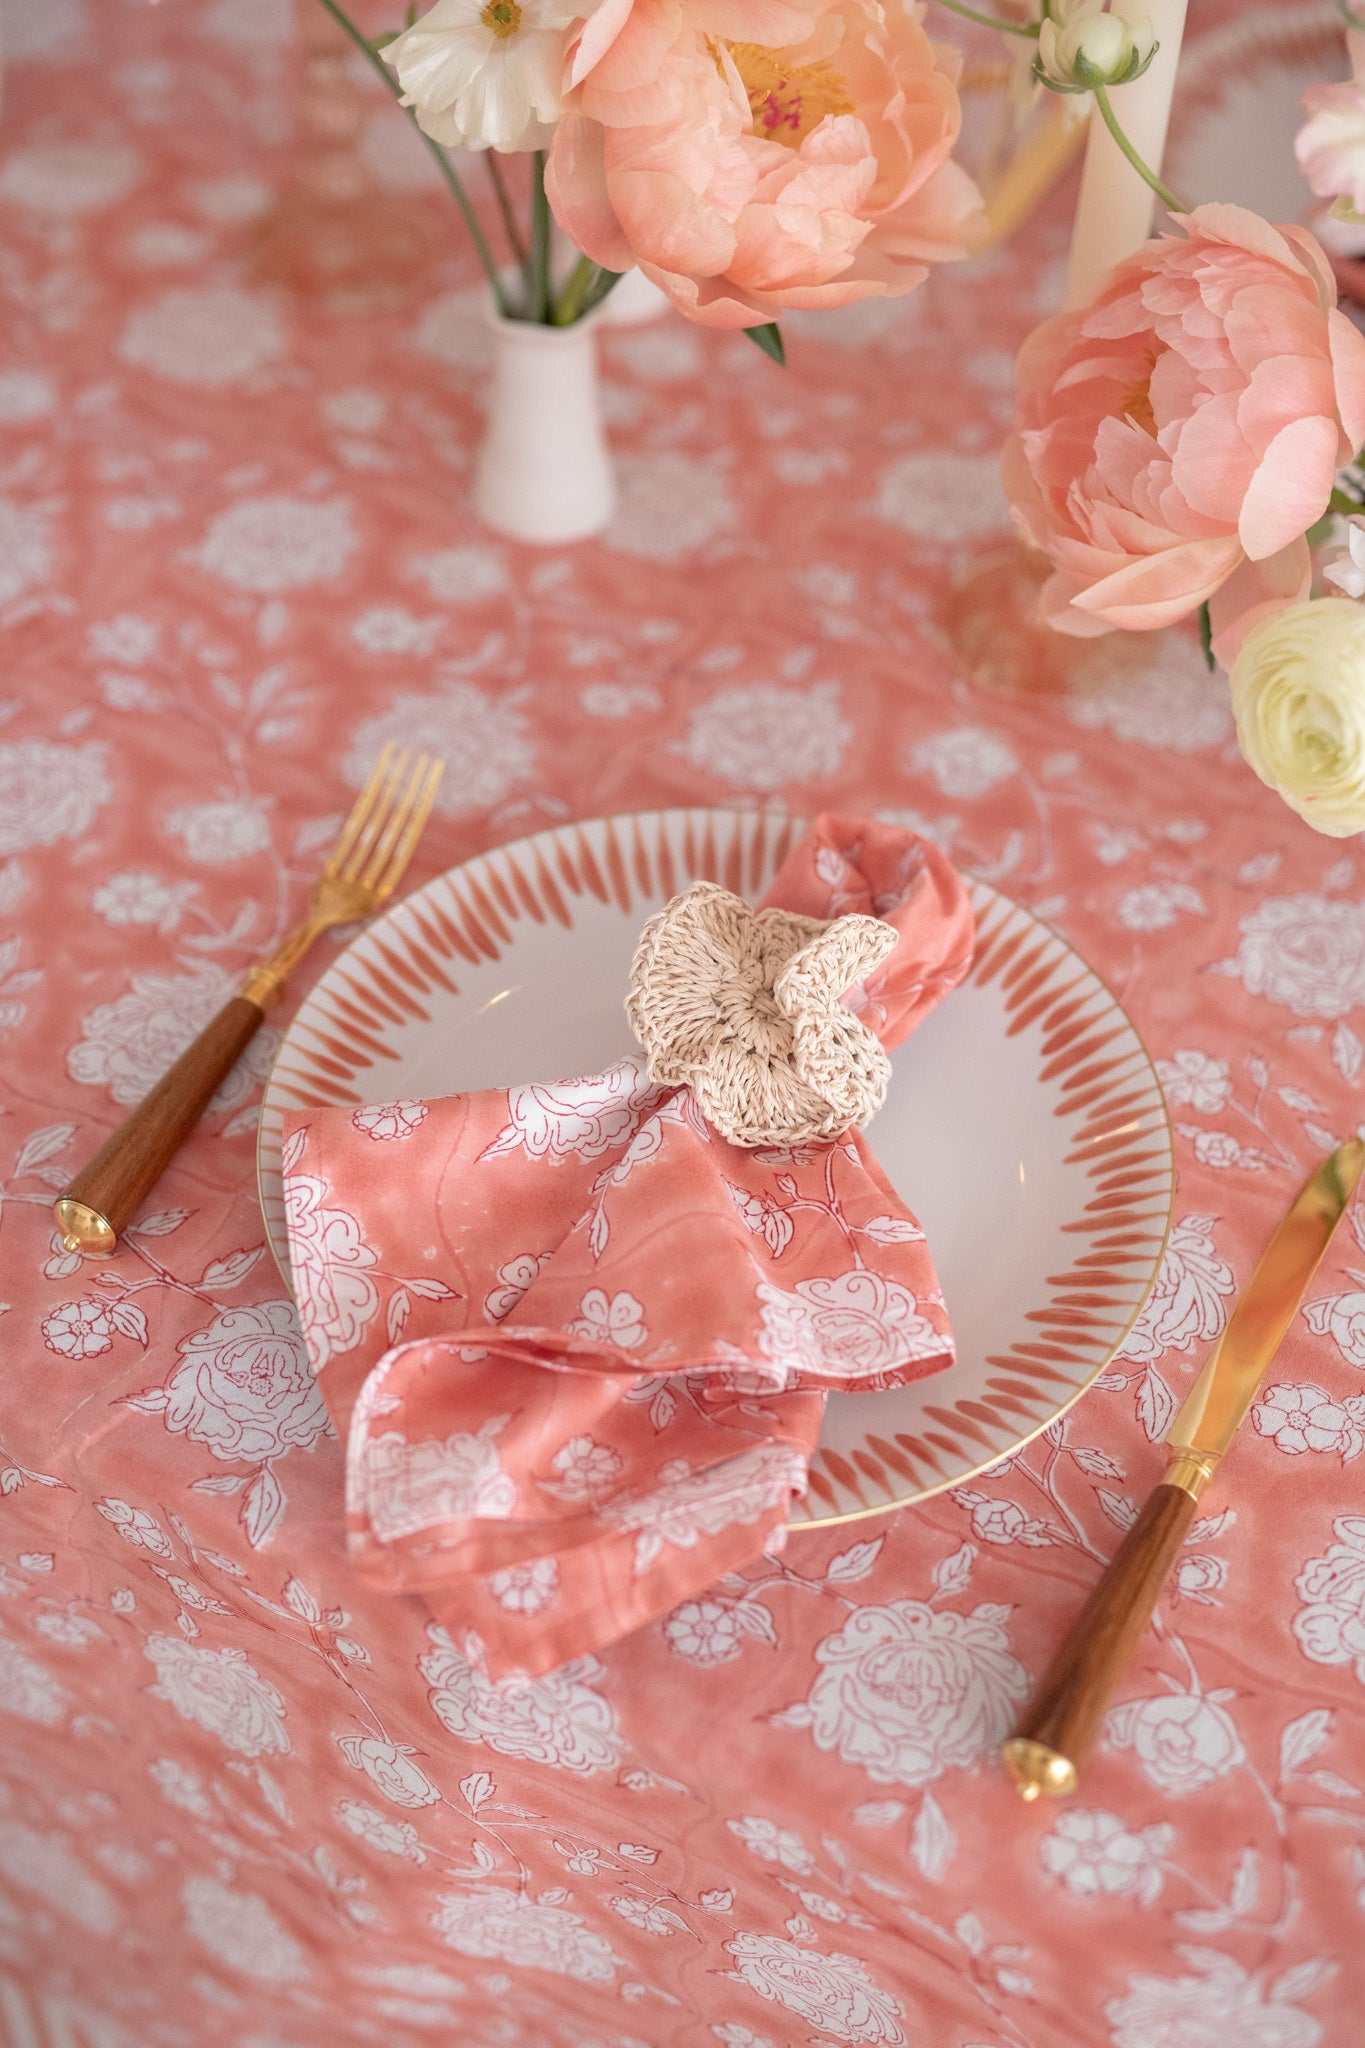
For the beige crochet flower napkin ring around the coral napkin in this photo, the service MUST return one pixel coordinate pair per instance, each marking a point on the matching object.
(746, 1009)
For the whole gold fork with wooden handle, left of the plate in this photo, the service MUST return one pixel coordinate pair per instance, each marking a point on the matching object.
(365, 869)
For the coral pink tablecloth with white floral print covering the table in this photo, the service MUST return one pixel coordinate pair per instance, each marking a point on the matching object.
(249, 1801)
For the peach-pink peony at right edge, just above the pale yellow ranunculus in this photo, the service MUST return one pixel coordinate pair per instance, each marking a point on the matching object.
(1176, 441)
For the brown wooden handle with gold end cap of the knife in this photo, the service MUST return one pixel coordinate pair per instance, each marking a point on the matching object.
(1069, 1707)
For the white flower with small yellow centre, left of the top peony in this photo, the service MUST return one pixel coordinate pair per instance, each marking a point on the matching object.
(486, 75)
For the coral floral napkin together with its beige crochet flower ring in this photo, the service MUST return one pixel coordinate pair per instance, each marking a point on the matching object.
(576, 1340)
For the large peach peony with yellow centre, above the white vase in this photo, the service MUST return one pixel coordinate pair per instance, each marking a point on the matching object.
(754, 157)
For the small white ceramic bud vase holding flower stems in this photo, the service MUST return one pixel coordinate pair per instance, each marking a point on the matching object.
(545, 472)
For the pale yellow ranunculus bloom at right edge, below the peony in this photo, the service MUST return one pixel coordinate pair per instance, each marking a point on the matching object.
(1298, 695)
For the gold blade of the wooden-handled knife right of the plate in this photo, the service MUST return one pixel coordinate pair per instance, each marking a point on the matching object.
(1256, 1330)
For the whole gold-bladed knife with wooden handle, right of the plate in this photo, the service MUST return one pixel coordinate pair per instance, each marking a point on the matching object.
(1069, 1707)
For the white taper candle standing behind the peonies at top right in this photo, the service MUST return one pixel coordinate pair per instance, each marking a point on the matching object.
(1114, 214)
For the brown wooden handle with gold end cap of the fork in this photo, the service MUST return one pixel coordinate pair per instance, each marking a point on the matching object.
(95, 1207)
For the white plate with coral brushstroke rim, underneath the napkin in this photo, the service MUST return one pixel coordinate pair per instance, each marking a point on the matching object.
(1024, 1127)
